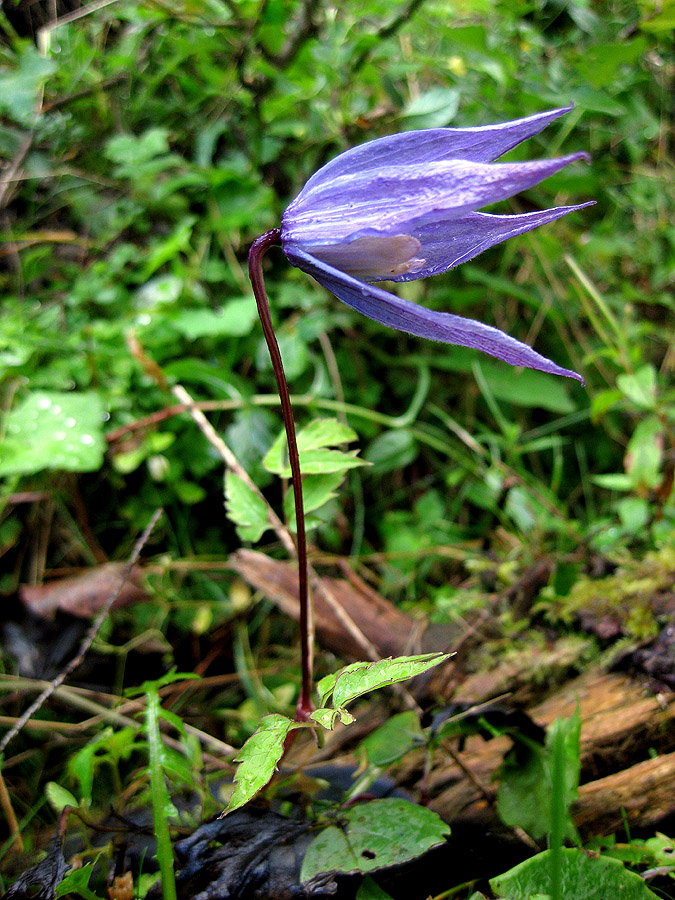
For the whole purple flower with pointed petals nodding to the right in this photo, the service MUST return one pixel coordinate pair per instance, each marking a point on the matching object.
(404, 207)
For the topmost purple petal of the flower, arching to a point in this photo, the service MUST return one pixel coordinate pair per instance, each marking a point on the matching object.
(483, 144)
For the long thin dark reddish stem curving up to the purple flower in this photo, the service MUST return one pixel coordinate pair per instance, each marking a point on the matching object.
(256, 253)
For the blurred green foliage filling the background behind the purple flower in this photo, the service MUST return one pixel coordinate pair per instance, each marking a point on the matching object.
(147, 143)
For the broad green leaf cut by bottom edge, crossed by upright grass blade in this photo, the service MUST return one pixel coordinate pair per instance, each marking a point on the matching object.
(584, 877)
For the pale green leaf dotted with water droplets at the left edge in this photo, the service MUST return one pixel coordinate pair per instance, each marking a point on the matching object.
(53, 430)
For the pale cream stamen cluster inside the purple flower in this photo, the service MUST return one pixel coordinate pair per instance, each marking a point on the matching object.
(371, 257)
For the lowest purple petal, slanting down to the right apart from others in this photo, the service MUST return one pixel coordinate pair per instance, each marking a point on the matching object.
(405, 316)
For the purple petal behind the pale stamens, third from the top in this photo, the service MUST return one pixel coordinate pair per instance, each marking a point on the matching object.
(444, 245)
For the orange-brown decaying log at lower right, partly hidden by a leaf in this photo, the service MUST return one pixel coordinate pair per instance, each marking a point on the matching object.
(622, 723)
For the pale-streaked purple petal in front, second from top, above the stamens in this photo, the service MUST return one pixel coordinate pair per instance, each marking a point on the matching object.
(390, 200)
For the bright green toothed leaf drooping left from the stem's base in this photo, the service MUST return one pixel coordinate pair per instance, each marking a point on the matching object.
(258, 758)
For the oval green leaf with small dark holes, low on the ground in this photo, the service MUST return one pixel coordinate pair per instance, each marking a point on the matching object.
(374, 836)
